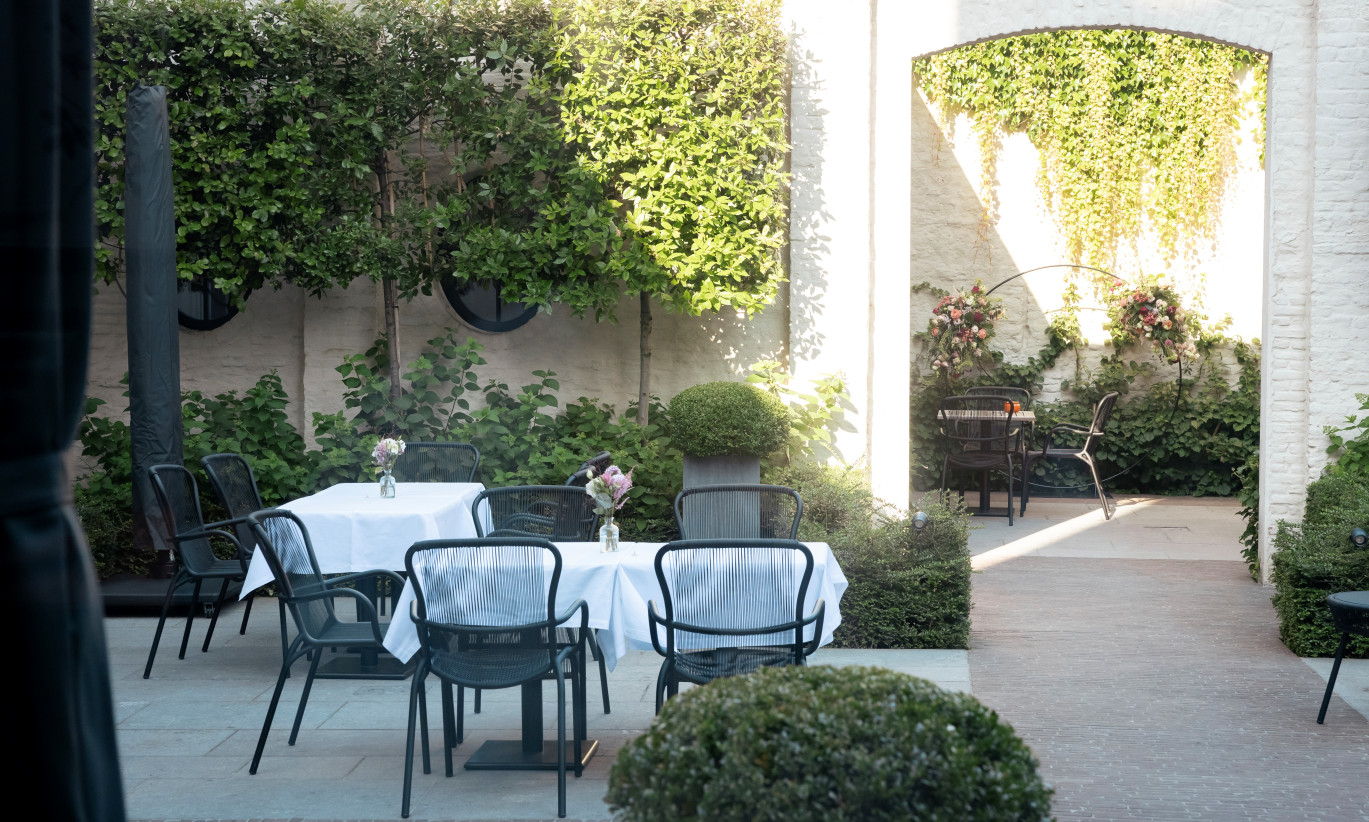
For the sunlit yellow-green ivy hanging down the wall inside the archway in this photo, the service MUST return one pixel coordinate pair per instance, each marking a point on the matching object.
(1137, 131)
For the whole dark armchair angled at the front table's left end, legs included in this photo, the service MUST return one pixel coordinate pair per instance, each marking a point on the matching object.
(285, 545)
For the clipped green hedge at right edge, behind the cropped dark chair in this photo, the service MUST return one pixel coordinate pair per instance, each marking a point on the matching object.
(1315, 558)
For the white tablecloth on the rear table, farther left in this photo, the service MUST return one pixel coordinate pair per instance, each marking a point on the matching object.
(353, 530)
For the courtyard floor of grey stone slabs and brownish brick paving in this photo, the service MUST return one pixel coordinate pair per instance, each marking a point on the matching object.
(1136, 657)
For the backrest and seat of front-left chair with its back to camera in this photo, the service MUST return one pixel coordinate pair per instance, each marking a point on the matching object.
(469, 594)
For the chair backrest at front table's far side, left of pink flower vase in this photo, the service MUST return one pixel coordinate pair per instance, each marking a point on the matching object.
(561, 513)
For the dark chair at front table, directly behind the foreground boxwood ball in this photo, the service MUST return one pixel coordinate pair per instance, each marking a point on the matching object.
(732, 608)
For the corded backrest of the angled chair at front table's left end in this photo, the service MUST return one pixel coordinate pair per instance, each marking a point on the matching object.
(285, 545)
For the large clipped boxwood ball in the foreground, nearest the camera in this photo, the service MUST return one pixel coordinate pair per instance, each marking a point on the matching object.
(828, 745)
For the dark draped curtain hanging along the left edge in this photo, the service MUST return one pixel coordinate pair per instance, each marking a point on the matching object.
(61, 724)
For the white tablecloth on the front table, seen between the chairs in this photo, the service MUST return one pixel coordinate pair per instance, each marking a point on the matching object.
(617, 588)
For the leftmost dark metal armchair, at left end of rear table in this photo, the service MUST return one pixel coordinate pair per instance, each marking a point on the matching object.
(180, 501)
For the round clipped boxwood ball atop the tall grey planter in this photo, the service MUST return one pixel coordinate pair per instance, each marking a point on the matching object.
(728, 420)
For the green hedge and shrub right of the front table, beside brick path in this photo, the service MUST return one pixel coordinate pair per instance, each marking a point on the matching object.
(908, 588)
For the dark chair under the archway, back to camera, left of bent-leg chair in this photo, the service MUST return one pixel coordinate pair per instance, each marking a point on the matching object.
(982, 438)
